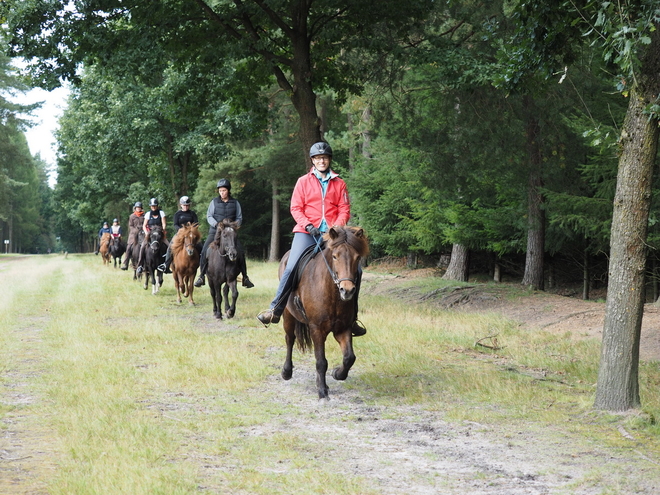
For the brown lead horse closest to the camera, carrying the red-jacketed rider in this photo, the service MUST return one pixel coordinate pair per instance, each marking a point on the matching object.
(323, 303)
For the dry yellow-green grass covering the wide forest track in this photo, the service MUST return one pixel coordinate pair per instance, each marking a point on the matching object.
(144, 396)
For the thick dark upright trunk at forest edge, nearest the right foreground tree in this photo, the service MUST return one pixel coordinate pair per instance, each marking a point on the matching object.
(533, 276)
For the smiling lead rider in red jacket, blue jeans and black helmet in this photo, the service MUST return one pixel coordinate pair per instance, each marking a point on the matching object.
(319, 201)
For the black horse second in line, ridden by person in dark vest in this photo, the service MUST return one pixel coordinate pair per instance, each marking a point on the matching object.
(223, 268)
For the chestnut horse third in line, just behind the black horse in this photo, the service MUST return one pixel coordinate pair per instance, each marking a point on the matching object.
(185, 260)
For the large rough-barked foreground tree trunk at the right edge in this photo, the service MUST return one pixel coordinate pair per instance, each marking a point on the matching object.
(618, 387)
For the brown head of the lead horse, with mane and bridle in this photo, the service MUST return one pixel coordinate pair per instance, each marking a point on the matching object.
(347, 246)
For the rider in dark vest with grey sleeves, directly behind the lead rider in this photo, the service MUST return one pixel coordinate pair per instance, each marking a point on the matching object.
(224, 206)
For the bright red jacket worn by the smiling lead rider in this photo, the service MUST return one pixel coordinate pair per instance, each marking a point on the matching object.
(309, 206)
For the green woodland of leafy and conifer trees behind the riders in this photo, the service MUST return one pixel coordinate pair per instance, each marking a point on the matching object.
(486, 129)
